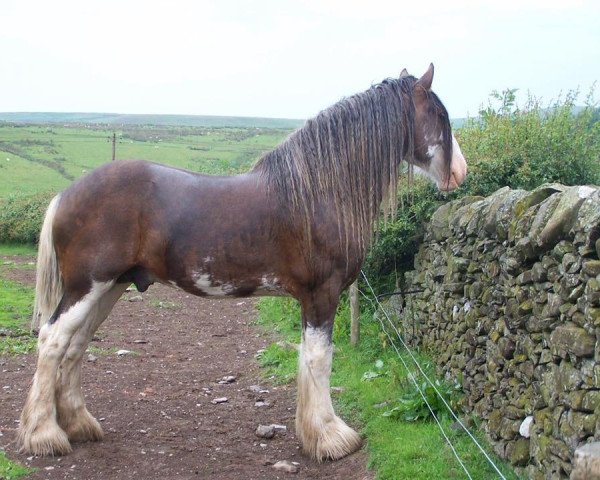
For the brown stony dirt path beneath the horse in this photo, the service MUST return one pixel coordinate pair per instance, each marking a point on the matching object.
(155, 404)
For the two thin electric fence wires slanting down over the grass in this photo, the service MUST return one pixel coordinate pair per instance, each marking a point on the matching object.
(412, 377)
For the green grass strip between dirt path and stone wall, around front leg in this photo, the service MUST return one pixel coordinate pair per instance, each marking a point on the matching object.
(377, 397)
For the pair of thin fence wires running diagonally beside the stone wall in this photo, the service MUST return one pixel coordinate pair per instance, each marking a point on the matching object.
(389, 326)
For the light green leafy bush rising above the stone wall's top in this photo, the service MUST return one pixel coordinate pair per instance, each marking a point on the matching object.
(526, 147)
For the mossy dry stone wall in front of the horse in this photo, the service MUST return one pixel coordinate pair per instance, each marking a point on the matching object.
(511, 307)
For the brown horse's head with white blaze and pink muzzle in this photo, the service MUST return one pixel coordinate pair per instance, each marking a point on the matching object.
(436, 151)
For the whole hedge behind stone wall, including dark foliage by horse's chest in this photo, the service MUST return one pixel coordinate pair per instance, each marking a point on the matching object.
(505, 146)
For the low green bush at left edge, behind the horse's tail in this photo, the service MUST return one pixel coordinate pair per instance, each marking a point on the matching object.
(21, 217)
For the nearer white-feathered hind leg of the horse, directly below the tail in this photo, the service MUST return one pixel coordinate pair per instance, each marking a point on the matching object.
(39, 432)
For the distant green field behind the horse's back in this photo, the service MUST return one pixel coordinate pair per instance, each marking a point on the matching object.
(36, 158)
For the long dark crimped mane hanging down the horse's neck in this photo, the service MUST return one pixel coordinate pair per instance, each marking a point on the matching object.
(348, 158)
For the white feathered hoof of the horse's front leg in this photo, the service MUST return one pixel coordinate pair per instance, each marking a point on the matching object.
(332, 441)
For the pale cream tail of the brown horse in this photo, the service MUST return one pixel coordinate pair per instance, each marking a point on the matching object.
(48, 282)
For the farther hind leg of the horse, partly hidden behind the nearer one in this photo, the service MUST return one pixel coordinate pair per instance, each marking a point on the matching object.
(73, 416)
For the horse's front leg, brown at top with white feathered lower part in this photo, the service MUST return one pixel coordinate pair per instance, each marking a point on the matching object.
(322, 433)
